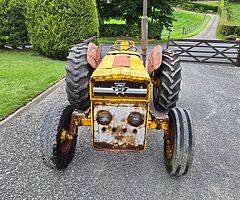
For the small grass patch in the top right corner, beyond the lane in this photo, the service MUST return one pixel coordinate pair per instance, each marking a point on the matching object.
(234, 13)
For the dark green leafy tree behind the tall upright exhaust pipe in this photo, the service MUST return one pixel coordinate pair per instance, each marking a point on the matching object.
(160, 12)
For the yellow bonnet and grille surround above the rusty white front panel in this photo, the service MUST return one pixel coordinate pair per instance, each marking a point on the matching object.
(136, 72)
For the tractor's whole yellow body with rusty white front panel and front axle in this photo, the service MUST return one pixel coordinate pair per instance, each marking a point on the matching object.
(104, 97)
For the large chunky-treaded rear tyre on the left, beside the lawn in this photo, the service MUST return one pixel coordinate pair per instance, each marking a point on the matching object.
(78, 73)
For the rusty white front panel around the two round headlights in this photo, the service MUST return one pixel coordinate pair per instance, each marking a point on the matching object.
(119, 134)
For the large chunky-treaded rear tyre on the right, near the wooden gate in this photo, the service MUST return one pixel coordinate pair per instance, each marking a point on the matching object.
(166, 93)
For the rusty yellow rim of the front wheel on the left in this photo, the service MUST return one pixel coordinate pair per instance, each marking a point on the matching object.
(66, 141)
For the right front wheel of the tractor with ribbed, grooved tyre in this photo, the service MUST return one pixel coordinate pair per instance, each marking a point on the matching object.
(179, 149)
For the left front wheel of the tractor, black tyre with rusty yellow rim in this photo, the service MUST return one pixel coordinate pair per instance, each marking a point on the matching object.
(57, 145)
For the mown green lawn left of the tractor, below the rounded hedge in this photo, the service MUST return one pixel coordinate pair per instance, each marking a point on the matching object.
(24, 75)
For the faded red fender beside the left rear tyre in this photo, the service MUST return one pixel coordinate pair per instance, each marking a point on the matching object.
(93, 55)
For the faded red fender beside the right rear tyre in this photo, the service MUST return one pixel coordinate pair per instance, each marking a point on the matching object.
(155, 59)
